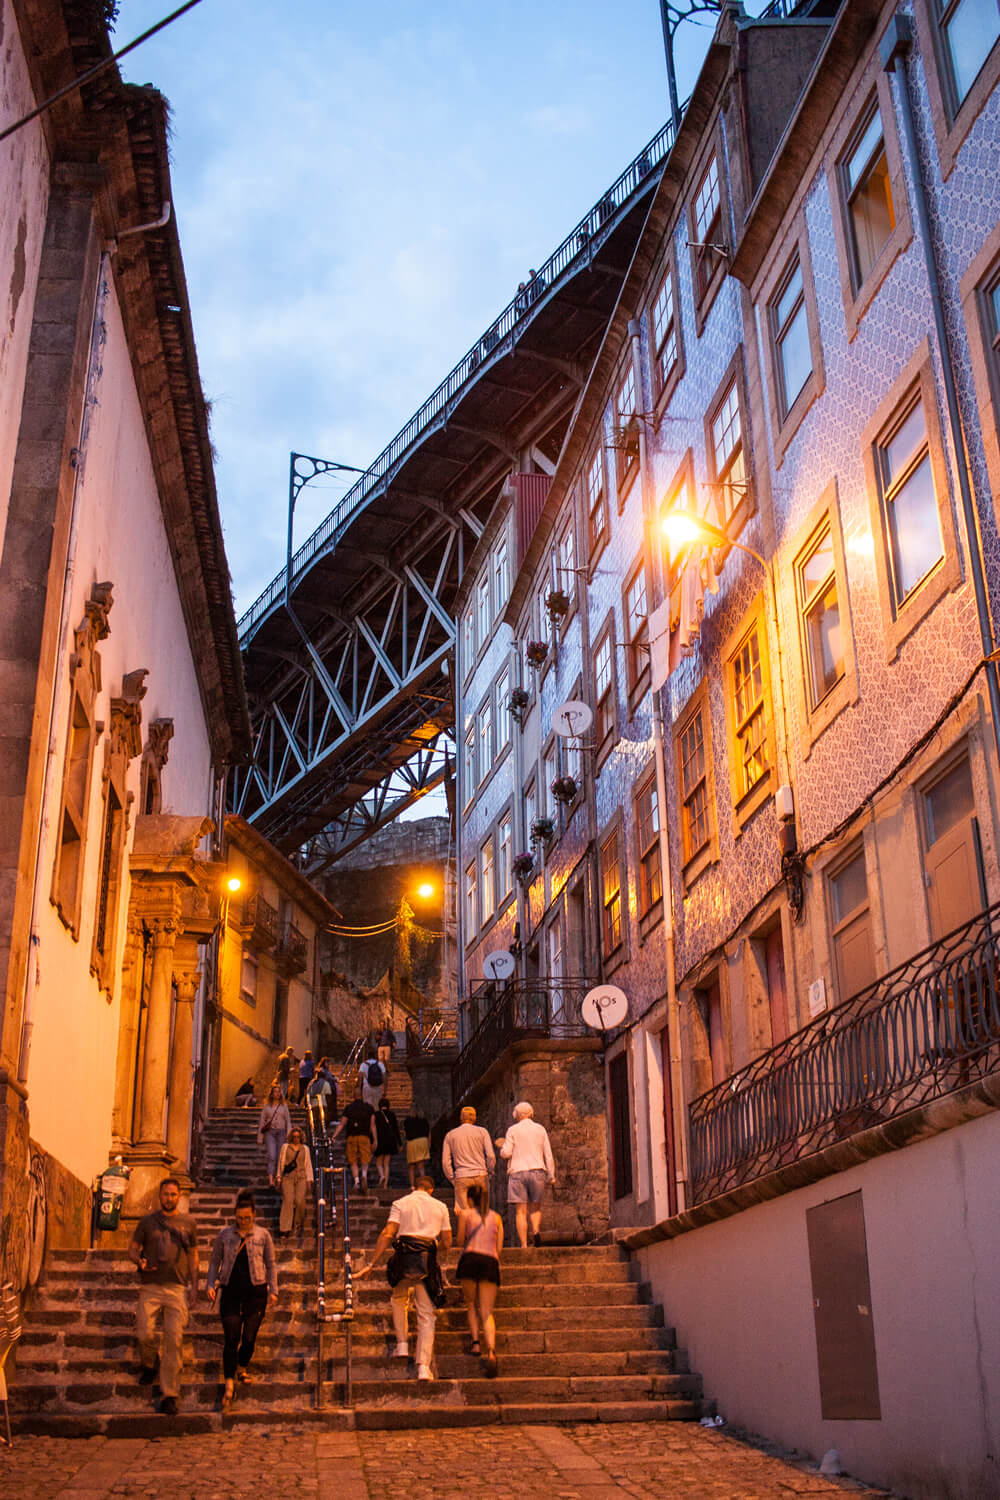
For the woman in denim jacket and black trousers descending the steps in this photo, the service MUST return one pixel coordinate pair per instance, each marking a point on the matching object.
(244, 1265)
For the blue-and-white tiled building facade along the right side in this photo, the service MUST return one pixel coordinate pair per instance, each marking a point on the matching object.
(789, 788)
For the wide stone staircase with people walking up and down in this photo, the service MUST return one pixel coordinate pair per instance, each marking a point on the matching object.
(578, 1336)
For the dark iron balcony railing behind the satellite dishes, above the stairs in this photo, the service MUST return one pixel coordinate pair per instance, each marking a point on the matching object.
(522, 1009)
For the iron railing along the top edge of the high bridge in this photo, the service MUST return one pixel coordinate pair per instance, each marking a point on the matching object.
(576, 247)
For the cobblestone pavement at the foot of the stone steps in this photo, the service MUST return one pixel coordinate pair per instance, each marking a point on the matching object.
(512, 1463)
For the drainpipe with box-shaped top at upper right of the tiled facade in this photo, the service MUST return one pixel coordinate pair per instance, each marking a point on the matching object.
(896, 44)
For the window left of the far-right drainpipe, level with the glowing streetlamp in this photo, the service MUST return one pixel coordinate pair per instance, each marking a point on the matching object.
(909, 503)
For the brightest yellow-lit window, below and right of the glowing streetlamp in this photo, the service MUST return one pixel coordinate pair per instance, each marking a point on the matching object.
(749, 716)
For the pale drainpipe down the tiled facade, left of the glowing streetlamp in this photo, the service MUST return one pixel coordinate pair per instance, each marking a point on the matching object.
(672, 1069)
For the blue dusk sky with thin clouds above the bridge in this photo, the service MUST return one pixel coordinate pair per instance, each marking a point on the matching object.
(359, 191)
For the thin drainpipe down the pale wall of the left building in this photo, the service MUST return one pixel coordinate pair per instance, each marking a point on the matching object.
(32, 973)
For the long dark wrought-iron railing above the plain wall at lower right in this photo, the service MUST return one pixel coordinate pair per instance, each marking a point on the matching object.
(917, 1034)
